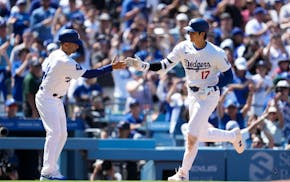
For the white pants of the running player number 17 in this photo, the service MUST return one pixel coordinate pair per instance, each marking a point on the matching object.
(200, 108)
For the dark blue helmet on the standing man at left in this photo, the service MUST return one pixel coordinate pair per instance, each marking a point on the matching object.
(69, 35)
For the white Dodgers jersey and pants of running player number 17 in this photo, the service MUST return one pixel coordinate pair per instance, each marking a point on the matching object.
(202, 68)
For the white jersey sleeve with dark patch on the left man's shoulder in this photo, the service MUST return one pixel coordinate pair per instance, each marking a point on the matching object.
(73, 69)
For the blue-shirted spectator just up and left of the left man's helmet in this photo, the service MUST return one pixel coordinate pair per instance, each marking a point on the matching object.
(41, 20)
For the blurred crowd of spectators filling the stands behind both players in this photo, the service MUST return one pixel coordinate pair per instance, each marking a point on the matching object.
(255, 34)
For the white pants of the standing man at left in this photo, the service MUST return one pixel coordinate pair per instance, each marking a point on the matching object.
(52, 114)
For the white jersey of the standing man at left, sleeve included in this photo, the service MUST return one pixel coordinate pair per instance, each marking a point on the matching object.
(58, 73)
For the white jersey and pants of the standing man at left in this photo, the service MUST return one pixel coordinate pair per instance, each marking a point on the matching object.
(59, 71)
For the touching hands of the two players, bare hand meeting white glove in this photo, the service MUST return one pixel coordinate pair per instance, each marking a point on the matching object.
(136, 63)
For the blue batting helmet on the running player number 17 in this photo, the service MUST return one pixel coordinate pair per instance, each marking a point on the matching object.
(197, 25)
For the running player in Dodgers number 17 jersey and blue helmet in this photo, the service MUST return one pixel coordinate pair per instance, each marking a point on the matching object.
(207, 70)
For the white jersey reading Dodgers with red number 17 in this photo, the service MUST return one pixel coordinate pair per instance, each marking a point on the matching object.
(201, 66)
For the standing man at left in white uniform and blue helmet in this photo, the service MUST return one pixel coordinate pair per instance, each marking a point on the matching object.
(60, 70)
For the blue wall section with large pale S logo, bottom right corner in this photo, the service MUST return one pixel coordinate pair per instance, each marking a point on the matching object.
(258, 165)
